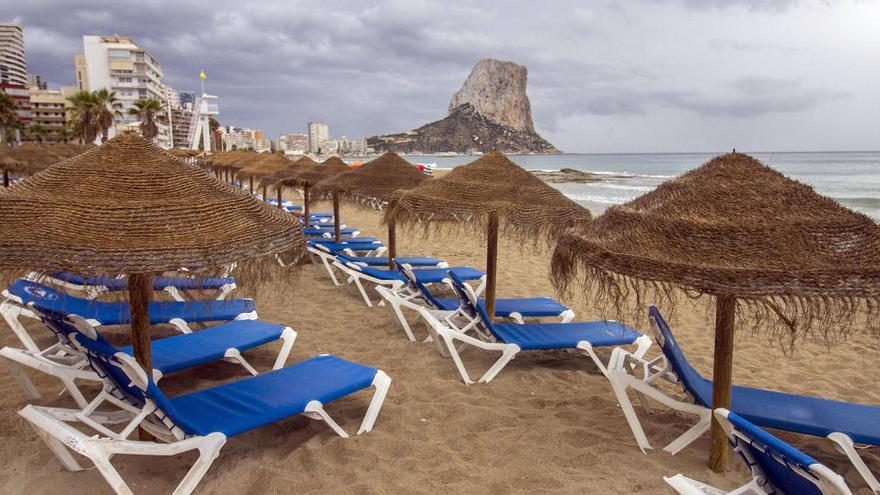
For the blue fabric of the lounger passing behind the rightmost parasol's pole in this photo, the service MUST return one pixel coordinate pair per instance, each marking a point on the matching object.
(766, 408)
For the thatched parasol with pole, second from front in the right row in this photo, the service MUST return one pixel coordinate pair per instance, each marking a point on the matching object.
(490, 194)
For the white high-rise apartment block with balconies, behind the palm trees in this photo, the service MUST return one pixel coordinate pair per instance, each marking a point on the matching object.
(118, 64)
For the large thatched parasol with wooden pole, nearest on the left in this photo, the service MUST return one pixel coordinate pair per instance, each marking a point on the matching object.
(129, 207)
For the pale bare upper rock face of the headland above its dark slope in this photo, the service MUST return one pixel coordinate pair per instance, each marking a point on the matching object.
(497, 90)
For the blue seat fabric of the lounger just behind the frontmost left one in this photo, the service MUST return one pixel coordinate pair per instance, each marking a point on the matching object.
(188, 350)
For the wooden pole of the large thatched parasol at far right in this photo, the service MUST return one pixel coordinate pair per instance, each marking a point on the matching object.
(722, 377)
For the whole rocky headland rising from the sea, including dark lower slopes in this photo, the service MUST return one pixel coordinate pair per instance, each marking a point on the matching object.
(491, 111)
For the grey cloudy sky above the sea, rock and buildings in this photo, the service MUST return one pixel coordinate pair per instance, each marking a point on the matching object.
(604, 76)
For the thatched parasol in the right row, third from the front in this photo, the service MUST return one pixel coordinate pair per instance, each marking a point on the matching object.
(372, 185)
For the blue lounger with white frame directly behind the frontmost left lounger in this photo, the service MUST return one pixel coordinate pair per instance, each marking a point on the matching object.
(222, 342)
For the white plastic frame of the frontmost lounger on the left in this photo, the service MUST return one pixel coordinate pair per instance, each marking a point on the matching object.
(53, 425)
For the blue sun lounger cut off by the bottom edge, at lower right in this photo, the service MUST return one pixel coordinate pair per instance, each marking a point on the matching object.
(776, 467)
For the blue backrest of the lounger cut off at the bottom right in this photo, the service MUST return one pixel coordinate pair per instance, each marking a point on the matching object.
(769, 458)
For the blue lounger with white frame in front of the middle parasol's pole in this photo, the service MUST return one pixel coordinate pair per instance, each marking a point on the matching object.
(511, 338)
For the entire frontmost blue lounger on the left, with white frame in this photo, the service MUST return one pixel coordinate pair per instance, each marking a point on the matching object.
(196, 421)
